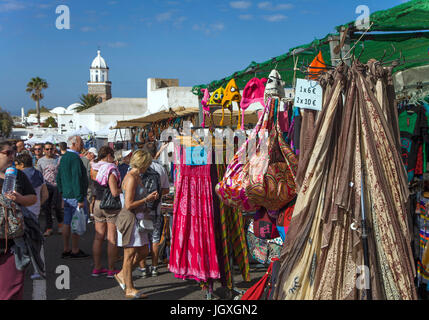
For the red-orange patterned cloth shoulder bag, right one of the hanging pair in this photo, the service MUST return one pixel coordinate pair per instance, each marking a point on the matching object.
(271, 178)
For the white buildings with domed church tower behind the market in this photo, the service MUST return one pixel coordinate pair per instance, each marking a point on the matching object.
(162, 94)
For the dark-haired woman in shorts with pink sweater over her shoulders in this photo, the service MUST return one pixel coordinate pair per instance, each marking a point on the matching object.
(105, 175)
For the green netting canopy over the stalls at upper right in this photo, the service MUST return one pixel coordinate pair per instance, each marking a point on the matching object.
(409, 16)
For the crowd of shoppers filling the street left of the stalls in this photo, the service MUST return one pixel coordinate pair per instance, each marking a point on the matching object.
(56, 181)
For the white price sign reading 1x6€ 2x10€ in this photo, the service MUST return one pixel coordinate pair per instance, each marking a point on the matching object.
(308, 94)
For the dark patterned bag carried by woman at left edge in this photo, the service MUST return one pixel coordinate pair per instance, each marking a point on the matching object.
(11, 219)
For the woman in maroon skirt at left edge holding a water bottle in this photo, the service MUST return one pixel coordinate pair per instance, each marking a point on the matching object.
(12, 279)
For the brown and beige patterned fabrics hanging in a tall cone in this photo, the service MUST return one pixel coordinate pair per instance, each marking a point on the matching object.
(319, 260)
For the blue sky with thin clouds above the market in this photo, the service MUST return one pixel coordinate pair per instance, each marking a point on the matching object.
(196, 41)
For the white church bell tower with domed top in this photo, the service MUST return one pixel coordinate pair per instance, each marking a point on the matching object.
(99, 83)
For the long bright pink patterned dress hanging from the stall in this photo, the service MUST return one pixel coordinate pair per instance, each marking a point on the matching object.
(193, 249)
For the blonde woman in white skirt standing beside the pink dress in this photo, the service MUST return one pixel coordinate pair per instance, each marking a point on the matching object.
(132, 235)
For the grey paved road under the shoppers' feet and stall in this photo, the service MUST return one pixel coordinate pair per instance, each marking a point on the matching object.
(85, 287)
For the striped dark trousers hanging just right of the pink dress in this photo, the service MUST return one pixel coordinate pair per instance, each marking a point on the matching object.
(233, 234)
